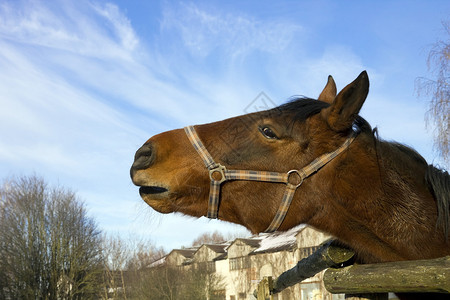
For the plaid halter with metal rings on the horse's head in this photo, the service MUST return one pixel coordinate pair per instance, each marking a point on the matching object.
(293, 178)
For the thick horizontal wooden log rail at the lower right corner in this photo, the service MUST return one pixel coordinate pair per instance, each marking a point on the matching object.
(420, 276)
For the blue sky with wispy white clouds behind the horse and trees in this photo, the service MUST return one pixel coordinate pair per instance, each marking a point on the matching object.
(84, 83)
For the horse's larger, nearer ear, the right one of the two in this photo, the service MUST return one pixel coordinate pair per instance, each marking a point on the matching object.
(343, 111)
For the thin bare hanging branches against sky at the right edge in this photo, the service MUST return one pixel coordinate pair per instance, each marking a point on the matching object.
(439, 90)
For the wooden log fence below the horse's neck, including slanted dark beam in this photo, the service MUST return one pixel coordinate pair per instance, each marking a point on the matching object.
(369, 281)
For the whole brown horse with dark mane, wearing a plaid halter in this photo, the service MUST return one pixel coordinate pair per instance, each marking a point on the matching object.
(380, 198)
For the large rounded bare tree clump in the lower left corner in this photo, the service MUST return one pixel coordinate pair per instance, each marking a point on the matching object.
(49, 247)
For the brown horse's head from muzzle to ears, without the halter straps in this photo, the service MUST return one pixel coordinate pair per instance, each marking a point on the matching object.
(172, 177)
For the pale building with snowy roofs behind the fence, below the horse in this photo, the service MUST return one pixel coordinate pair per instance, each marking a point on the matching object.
(243, 262)
